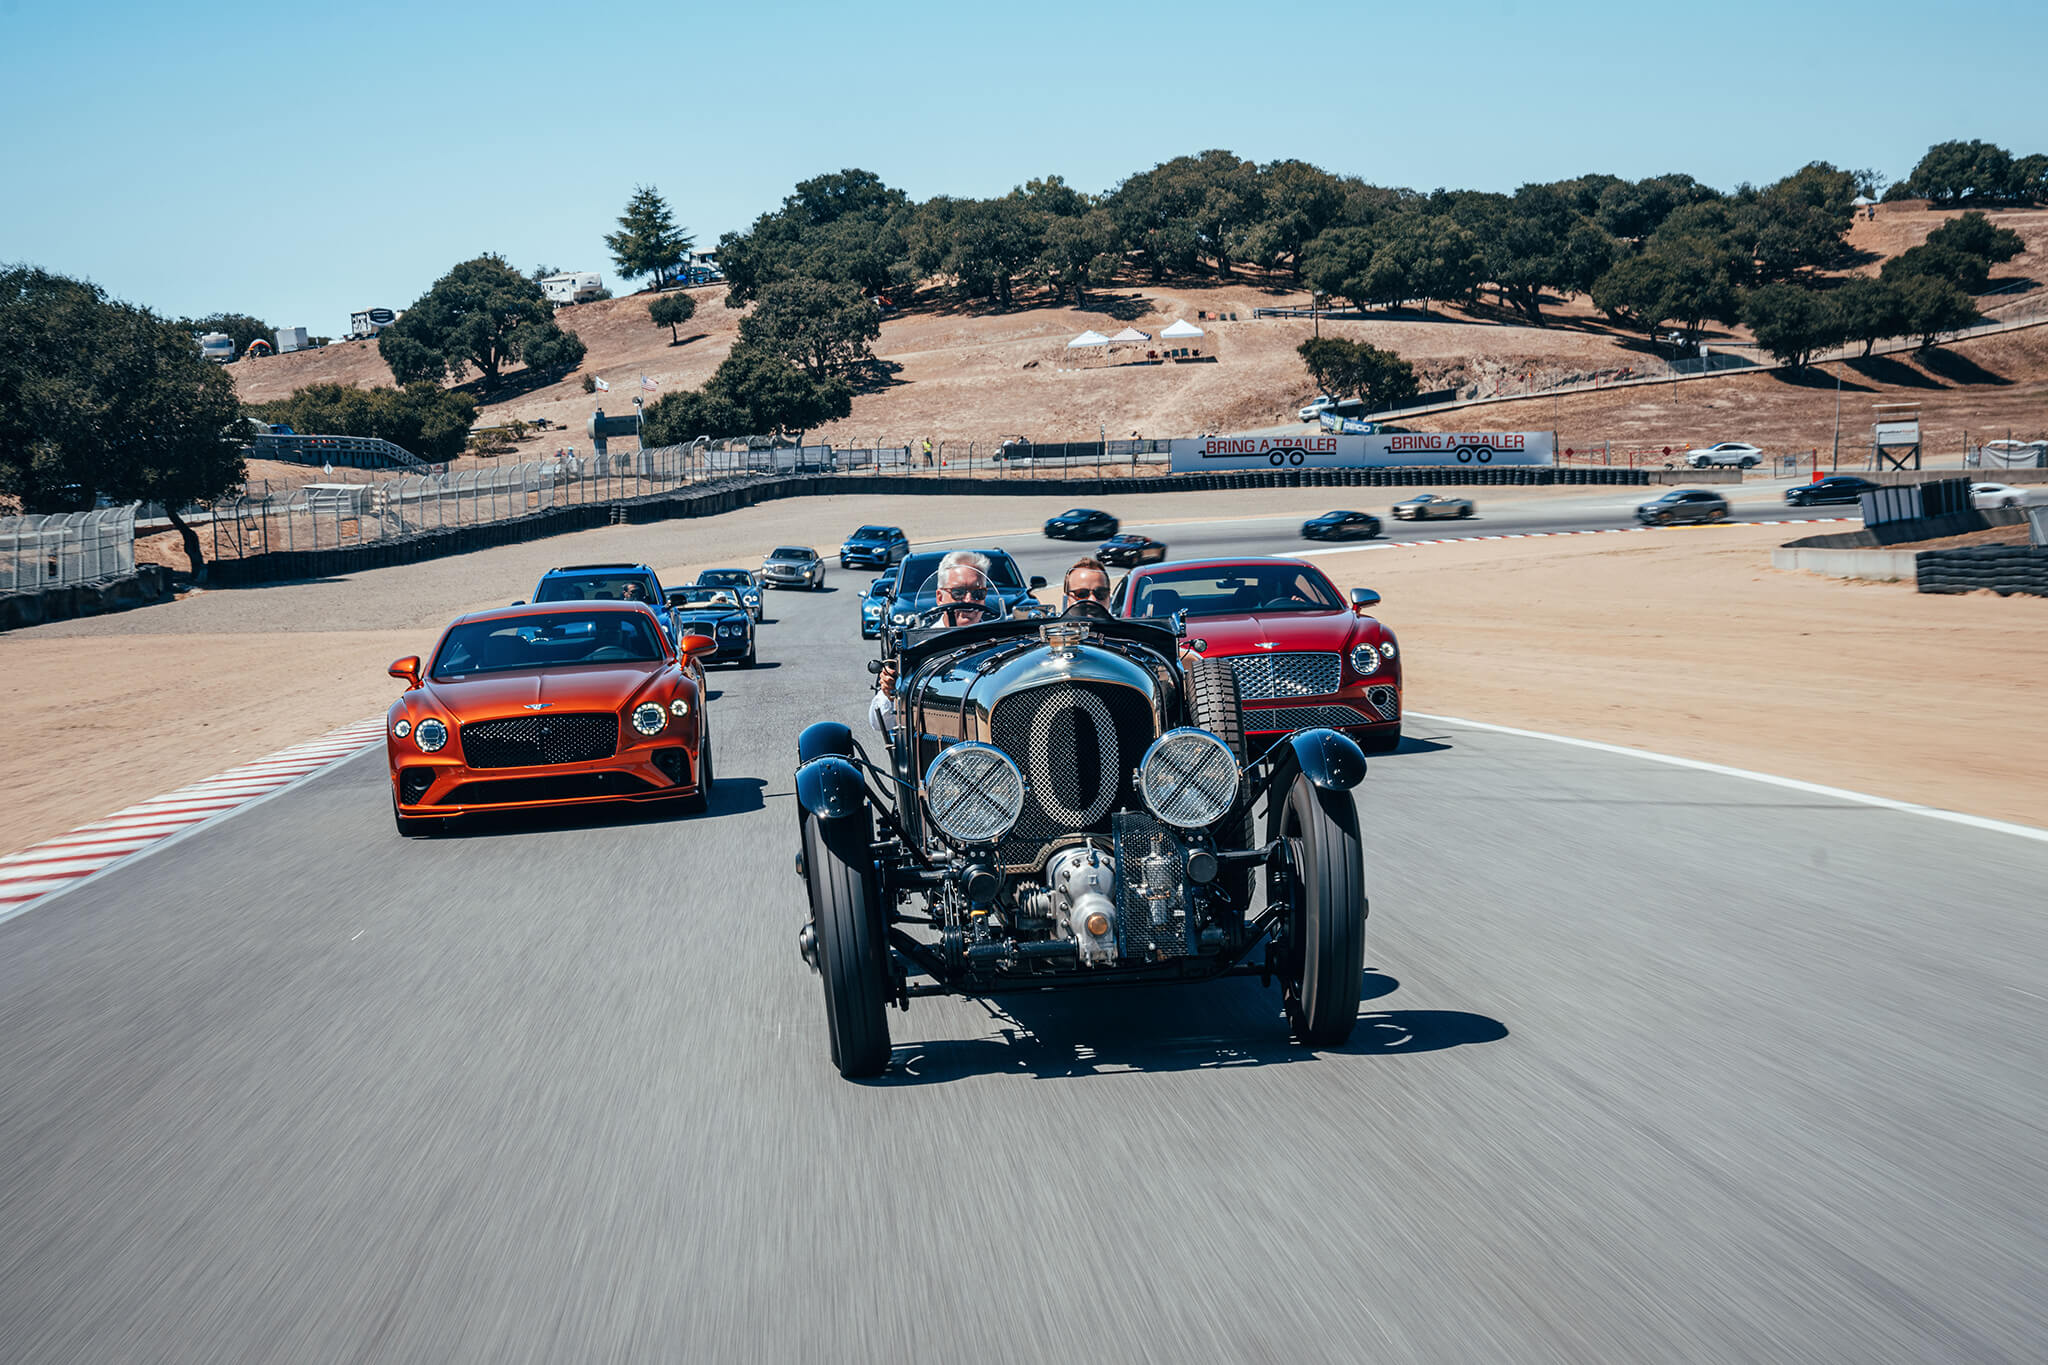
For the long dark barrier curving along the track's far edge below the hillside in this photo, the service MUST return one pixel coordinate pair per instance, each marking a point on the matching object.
(744, 492)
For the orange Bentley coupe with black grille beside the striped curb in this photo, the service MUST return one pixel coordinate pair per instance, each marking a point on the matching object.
(554, 705)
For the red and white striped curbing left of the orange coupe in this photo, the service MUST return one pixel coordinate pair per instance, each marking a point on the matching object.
(62, 863)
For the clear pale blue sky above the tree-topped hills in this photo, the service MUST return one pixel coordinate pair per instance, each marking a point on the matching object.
(298, 163)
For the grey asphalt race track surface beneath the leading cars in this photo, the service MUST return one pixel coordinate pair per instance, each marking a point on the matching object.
(1656, 1065)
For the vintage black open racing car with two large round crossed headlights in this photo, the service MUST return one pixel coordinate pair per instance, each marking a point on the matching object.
(1066, 803)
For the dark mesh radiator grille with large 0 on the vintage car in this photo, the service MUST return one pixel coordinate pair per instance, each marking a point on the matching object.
(1076, 746)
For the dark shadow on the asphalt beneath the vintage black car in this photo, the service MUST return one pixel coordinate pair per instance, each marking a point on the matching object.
(1234, 1022)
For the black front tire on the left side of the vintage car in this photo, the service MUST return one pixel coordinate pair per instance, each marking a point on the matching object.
(851, 951)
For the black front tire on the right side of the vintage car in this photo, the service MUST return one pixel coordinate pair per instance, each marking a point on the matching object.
(1328, 920)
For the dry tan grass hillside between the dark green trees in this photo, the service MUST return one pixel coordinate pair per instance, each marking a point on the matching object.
(970, 373)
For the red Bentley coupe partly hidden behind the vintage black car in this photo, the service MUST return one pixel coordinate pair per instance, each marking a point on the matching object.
(1302, 654)
